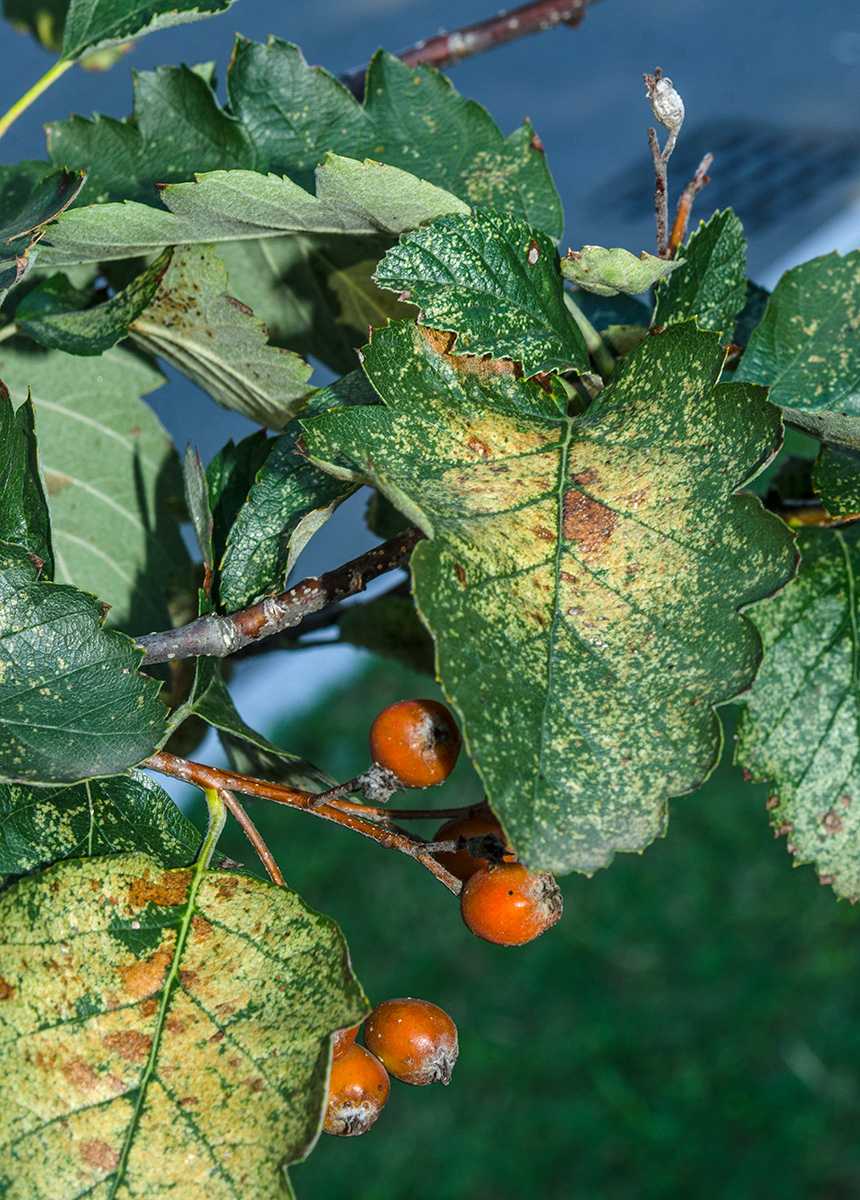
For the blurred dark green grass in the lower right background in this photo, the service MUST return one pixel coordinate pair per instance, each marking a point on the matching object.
(690, 1030)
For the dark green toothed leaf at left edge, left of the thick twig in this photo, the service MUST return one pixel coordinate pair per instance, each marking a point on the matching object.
(73, 704)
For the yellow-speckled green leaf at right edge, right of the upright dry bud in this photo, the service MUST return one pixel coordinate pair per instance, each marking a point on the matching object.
(807, 349)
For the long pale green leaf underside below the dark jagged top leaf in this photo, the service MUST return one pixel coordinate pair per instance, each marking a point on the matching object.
(225, 206)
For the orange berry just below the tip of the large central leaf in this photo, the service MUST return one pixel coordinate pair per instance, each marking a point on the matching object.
(509, 904)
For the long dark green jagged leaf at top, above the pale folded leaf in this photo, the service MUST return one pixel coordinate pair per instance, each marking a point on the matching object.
(285, 117)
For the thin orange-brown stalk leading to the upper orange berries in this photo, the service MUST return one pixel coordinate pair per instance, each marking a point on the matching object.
(388, 837)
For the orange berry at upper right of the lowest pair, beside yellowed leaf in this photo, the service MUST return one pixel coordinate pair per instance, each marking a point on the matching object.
(416, 1041)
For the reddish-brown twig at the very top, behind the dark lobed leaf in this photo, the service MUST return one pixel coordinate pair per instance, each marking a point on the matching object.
(447, 50)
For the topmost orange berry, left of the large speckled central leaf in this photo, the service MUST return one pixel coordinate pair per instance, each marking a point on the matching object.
(418, 741)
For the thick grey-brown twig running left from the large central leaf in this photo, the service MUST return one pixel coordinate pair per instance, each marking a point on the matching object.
(214, 637)
